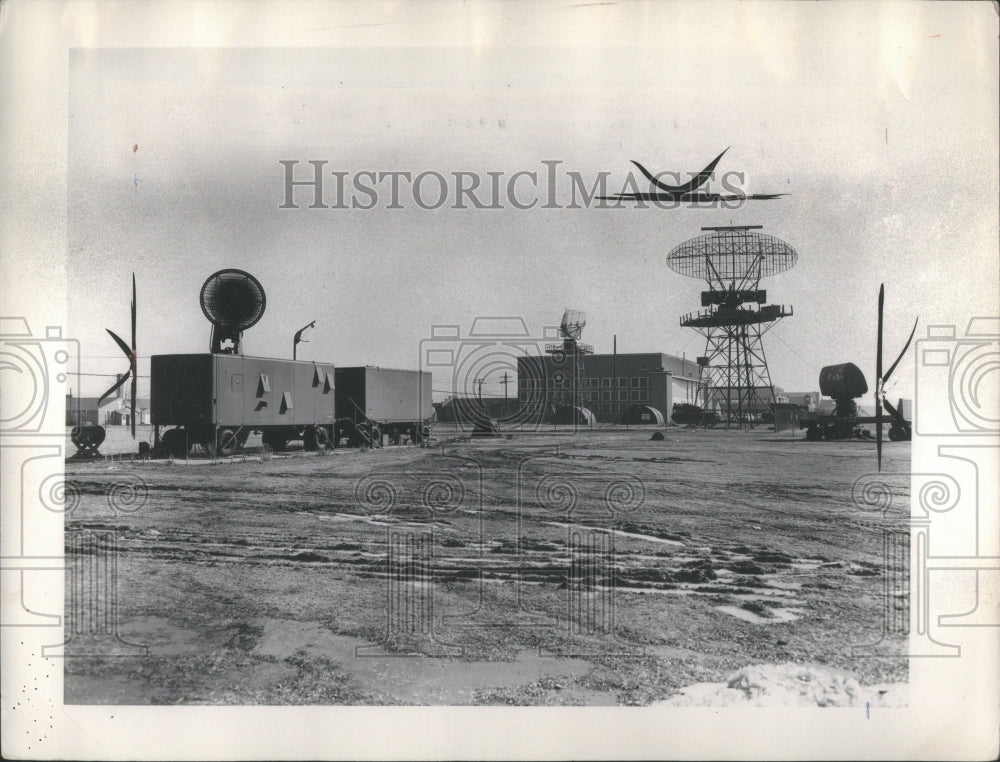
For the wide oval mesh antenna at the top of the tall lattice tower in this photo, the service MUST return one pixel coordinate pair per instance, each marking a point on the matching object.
(732, 253)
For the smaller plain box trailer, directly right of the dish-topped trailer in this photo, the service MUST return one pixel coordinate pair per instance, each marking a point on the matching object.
(374, 404)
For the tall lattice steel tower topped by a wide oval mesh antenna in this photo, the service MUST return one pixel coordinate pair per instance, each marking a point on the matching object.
(735, 381)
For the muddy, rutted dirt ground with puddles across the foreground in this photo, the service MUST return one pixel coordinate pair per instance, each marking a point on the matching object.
(541, 568)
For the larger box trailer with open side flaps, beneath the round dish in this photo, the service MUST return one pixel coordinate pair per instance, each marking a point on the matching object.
(218, 400)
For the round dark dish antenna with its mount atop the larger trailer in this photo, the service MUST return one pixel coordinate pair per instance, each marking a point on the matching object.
(232, 300)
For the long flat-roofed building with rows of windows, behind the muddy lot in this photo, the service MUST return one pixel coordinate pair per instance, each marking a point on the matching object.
(610, 384)
